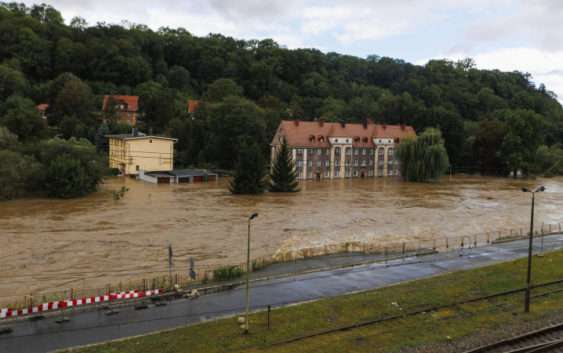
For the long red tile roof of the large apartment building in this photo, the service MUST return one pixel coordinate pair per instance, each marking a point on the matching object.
(315, 134)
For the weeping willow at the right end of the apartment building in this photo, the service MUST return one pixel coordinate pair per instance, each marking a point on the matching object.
(423, 158)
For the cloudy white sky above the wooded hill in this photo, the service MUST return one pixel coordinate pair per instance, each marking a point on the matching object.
(524, 35)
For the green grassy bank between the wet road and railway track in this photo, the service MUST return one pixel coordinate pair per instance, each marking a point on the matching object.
(435, 328)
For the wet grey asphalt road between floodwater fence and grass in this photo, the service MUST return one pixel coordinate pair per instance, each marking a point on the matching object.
(92, 327)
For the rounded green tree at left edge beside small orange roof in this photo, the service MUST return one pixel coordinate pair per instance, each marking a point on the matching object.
(21, 117)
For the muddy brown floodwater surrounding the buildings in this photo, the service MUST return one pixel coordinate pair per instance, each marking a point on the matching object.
(54, 244)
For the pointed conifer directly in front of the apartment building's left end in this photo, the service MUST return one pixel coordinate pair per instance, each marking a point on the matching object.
(283, 177)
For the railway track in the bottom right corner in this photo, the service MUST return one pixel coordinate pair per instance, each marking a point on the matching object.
(547, 339)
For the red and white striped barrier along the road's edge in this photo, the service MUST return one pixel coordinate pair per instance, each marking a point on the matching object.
(69, 303)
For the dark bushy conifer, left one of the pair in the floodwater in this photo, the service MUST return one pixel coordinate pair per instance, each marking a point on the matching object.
(250, 170)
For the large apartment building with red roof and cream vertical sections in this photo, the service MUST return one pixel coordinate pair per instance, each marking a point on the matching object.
(340, 150)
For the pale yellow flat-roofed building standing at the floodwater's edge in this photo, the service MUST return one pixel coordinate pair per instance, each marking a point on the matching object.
(131, 153)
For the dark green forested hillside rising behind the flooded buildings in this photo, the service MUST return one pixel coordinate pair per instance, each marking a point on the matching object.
(491, 121)
